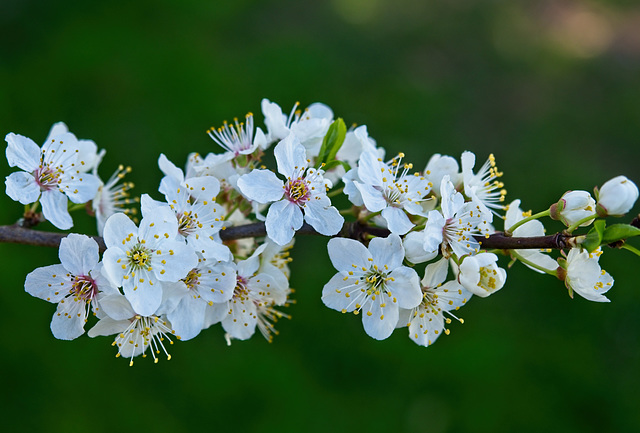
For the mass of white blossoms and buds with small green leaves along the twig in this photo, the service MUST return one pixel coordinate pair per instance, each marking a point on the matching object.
(411, 247)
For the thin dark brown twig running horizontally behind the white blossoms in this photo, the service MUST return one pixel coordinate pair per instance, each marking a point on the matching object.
(354, 230)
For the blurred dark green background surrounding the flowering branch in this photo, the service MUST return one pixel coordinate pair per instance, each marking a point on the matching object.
(552, 88)
